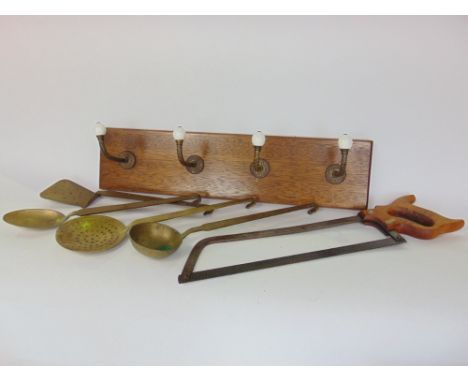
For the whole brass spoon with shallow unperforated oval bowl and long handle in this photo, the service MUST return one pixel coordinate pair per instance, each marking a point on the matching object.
(46, 218)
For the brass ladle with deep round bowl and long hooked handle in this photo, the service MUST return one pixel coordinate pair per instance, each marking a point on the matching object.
(160, 240)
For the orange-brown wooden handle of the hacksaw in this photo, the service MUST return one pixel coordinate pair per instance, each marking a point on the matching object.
(404, 217)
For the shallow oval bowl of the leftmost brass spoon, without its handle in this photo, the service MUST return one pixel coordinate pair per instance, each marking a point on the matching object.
(34, 218)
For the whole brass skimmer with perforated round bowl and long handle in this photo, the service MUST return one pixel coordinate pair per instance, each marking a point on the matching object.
(99, 233)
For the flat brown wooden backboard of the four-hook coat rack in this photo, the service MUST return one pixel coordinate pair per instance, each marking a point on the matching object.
(297, 164)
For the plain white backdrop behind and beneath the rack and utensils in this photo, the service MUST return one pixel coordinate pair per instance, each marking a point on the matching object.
(400, 81)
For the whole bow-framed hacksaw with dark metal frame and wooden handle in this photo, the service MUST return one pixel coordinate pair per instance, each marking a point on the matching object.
(399, 217)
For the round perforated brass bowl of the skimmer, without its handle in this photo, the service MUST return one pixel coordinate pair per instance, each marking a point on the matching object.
(91, 233)
